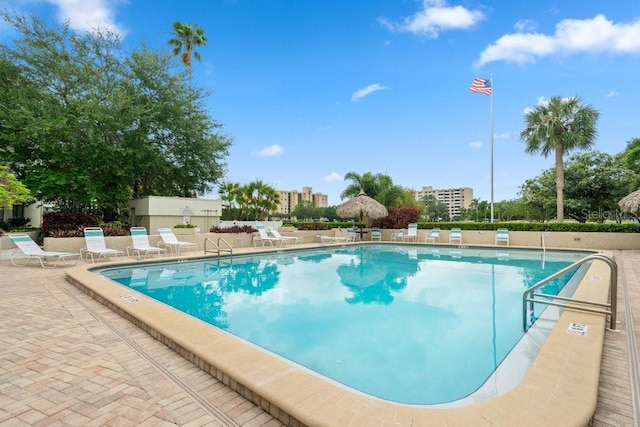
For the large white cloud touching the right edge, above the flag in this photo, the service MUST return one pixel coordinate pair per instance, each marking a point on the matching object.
(596, 35)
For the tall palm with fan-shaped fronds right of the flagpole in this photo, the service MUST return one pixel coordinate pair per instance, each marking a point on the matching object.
(559, 125)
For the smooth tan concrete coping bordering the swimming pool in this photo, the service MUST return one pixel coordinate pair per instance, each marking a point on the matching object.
(560, 387)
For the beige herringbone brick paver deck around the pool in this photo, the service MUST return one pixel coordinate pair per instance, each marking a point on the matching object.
(66, 359)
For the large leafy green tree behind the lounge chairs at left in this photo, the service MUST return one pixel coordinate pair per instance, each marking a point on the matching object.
(89, 127)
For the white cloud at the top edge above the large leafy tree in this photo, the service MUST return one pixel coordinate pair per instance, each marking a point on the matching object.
(88, 15)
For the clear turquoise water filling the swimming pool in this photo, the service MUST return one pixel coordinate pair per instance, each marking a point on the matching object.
(408, 323)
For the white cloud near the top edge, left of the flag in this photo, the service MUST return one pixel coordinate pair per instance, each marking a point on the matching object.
(434, 17)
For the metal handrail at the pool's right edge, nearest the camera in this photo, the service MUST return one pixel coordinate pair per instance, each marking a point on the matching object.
(573, 303)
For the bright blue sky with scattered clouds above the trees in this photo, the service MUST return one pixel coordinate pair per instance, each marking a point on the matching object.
(310, 90)
